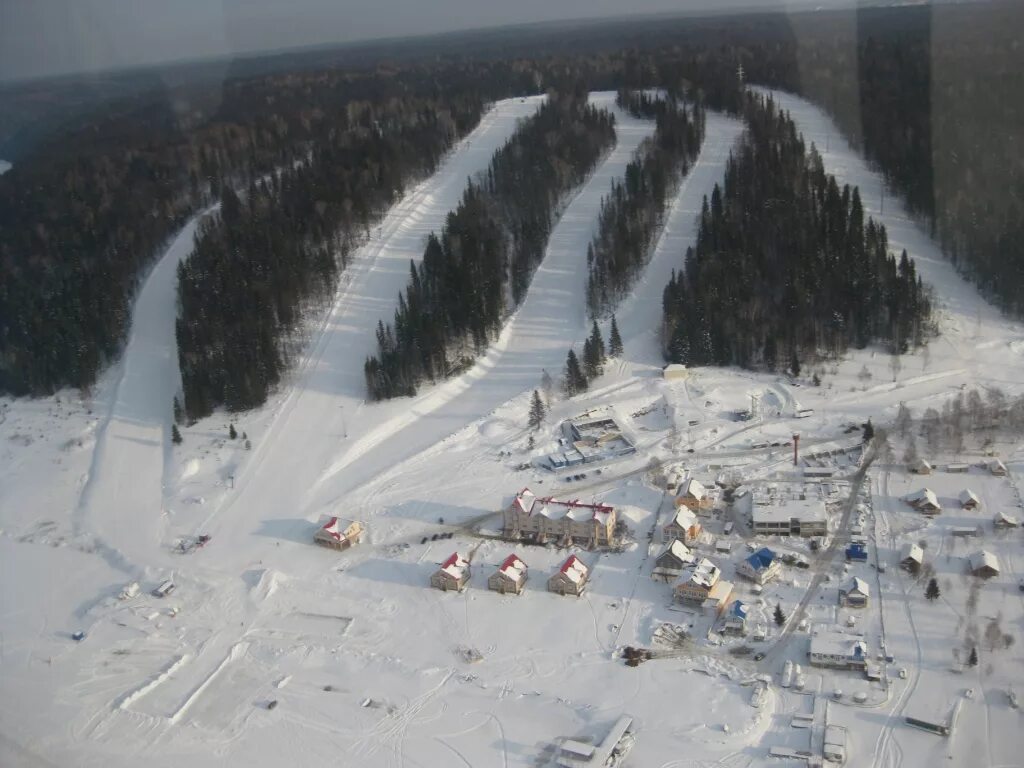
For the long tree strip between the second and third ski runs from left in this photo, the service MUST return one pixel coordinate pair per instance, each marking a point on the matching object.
(479, 269)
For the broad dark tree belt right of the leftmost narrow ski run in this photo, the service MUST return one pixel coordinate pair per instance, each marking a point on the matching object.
(278, 251)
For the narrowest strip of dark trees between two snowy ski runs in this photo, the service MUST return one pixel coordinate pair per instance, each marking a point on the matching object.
(633, 215)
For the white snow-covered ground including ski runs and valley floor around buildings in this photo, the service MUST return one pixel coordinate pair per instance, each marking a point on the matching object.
(368, 665)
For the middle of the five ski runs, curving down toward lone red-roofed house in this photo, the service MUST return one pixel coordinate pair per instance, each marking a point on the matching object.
(538, 336)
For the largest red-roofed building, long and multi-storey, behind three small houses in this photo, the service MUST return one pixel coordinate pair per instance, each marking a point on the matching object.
(540, 521)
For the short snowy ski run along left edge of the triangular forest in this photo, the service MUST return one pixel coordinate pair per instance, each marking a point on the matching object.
(639, 316)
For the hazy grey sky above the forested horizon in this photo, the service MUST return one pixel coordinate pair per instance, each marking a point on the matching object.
(47, 37)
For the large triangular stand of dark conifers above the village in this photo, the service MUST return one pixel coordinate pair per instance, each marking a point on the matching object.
(786, 267)
